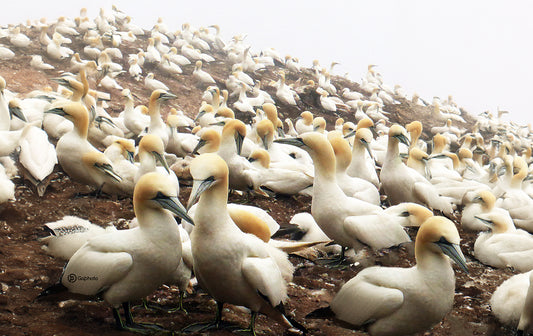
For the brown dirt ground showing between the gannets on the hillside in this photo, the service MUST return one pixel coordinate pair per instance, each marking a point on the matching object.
(25, 270)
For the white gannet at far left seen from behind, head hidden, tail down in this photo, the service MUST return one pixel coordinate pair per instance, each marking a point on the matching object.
(37, 157)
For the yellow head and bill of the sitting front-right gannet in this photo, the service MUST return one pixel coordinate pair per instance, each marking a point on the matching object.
(439, 235)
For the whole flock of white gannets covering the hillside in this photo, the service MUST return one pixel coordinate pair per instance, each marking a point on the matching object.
(369, 180)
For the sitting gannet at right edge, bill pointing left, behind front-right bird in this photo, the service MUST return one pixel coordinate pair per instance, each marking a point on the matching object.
(504, 245)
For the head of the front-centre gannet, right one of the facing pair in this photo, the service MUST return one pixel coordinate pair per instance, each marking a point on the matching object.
(207, 170)
